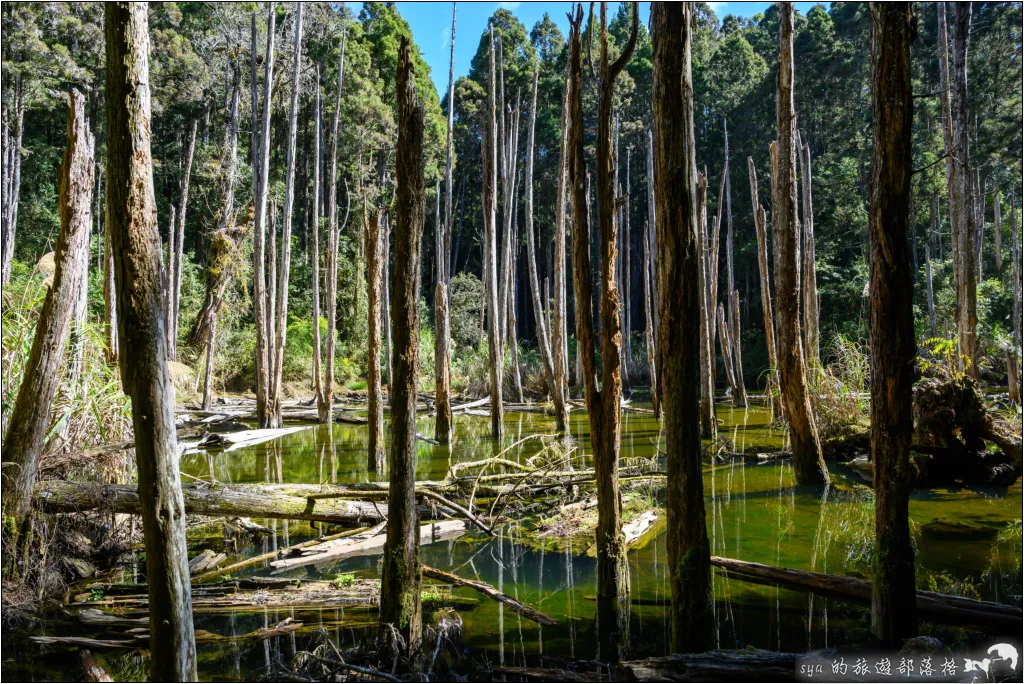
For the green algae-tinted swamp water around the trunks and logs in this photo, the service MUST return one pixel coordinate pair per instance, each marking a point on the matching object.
(755, 512)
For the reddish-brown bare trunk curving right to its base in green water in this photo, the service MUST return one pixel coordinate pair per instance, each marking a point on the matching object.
(808, 463)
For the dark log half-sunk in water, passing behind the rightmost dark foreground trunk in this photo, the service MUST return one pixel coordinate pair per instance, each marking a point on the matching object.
(944, 608)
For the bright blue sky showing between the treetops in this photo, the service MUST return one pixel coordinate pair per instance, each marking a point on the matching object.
(432, 23)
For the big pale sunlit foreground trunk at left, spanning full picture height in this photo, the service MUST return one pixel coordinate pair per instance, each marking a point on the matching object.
(132, 216)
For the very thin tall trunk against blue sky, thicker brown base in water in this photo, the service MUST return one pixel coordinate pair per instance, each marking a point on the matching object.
(443, 323)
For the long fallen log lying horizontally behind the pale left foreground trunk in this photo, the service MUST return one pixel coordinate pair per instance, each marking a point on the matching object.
(250, 501)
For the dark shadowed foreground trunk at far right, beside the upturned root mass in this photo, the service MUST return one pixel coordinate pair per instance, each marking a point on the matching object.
(894, 617)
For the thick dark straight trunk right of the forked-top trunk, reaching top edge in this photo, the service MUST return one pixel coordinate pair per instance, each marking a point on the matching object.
(692, 616)
